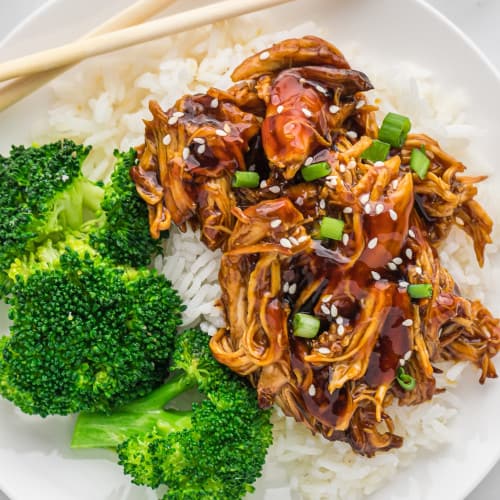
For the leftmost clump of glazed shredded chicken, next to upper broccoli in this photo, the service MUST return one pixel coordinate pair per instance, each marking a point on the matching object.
(190, 156)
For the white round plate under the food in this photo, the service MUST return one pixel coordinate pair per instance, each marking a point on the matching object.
(35, 458)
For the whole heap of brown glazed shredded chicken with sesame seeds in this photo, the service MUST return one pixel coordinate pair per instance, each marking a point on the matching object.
(294, 104)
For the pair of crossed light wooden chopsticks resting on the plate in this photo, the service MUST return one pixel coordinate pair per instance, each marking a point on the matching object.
(121, 31)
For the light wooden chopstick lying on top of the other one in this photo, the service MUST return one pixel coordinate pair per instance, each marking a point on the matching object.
(82, 49)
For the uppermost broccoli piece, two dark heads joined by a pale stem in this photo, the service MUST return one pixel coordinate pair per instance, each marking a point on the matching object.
(44, 196)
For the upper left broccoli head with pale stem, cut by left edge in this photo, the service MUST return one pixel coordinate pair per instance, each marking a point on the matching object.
(42, 194)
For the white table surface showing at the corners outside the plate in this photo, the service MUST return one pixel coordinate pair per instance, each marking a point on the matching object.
(479, 19)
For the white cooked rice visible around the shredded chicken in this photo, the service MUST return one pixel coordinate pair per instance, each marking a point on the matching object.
(107, 112)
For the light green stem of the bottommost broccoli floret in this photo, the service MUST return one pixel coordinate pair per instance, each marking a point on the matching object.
(100, 430)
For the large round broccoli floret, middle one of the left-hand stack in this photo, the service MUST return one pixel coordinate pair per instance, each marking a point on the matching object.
(85, 334)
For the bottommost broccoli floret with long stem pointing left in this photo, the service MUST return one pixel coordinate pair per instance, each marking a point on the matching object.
(215, 451)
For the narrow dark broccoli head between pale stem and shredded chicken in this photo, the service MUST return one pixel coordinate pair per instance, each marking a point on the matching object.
(123, 235)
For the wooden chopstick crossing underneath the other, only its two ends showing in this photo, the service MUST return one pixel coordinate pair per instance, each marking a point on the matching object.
(137, 13)
